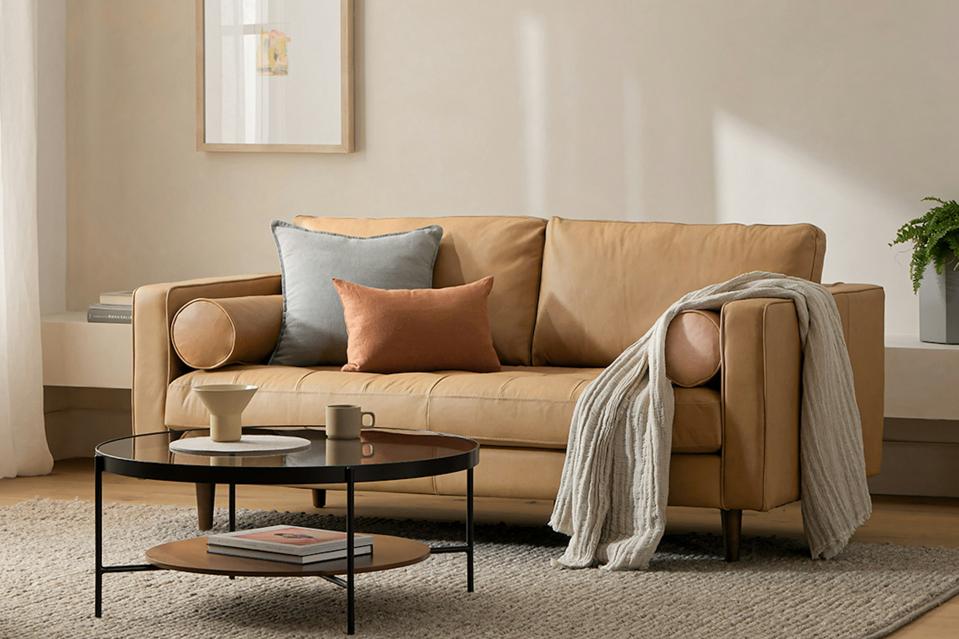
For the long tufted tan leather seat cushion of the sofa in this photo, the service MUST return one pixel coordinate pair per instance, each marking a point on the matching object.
(522, 406)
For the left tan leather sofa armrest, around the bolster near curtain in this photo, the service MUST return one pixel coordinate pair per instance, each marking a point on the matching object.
(155, 363)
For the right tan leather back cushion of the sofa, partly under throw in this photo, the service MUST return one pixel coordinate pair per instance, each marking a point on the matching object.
(605, 283)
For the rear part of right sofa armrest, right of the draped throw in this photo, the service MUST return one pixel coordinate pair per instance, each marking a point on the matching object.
(862, 310)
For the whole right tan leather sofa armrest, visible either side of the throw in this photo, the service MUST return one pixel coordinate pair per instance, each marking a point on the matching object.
(761, 391)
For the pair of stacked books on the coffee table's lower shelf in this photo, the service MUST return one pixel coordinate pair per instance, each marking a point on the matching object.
(289, 540)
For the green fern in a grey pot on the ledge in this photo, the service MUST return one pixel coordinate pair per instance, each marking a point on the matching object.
(934, 269)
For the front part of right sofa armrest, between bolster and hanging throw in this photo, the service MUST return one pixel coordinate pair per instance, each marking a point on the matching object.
(761, 398)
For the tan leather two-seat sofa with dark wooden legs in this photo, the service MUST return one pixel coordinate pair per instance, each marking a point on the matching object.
(569, 296)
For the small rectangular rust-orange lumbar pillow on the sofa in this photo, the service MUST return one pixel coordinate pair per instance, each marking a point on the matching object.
(418, 330)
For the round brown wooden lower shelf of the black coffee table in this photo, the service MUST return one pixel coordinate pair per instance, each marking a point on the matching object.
(191, 556)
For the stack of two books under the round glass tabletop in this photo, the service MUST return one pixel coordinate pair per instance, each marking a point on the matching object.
(289, 544)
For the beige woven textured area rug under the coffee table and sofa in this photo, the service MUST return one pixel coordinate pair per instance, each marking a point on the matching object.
(46, 586)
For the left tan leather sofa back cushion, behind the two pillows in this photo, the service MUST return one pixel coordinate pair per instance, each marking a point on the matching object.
(508, 248)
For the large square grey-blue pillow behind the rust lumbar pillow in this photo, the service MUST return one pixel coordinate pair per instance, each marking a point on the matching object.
(313, 331)
